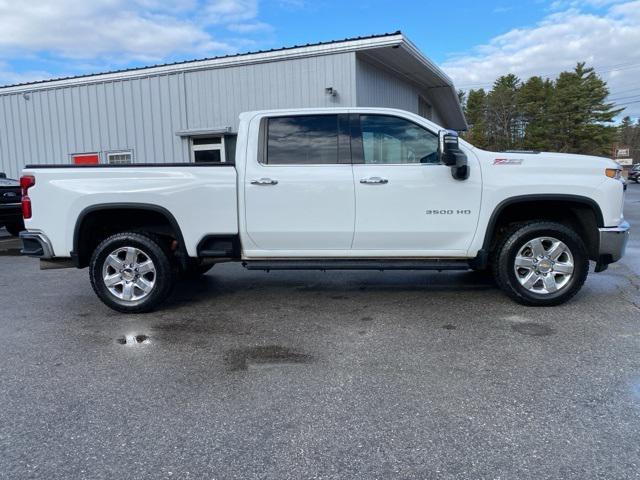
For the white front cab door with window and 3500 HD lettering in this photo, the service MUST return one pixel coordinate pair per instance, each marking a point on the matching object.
(407, 202)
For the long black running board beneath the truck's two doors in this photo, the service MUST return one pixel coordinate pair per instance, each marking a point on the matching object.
(352, 264)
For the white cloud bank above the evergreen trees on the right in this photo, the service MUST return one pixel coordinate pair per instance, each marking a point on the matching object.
(607, 41)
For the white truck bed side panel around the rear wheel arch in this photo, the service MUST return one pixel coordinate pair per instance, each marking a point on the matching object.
(201, 198)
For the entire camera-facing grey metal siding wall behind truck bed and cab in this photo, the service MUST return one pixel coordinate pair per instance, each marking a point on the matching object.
(144, 114)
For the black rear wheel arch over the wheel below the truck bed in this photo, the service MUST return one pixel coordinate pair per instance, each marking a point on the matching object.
(82, 251)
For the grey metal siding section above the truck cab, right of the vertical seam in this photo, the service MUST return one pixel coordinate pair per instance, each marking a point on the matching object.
(216, 97)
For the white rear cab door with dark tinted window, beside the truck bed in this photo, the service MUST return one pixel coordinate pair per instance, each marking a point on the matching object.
(299, 192)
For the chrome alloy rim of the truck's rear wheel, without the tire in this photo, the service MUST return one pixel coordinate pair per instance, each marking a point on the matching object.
(129, 274)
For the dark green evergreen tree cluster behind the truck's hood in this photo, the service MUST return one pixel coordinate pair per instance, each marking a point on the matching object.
(567, 114)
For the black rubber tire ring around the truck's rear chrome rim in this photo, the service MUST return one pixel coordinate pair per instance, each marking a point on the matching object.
(150, 247)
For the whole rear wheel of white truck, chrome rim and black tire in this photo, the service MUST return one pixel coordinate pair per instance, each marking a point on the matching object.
(131, 273)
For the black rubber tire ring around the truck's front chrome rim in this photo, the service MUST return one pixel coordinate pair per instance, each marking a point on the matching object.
(503, 264)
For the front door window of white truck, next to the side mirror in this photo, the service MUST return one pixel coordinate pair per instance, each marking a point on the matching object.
(393, 140)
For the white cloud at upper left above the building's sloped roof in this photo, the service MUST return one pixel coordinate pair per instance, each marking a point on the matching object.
(118, 30)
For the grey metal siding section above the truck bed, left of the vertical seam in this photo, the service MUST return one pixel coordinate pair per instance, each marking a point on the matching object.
(142, 115)
